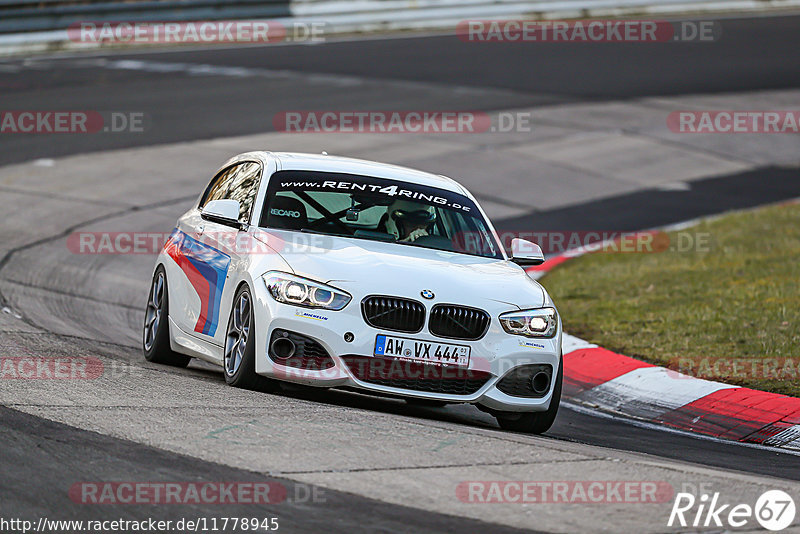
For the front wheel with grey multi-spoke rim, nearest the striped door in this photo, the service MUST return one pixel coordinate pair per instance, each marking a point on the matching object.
(239, 361)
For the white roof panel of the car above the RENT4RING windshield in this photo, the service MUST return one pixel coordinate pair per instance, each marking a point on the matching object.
(290, 161)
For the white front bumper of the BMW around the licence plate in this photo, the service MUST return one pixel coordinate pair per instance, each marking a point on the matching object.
(496, 353)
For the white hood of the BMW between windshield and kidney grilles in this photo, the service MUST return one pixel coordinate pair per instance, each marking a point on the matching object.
(364, 267)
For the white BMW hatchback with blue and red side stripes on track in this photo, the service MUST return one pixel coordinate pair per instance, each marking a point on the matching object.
(337, 272)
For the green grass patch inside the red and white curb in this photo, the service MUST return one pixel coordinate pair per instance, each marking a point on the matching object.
(729, 313)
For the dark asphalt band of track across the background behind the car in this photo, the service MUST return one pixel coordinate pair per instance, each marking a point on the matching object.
(750, 55)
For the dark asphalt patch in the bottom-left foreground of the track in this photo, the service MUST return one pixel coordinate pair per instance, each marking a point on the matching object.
(33, 446)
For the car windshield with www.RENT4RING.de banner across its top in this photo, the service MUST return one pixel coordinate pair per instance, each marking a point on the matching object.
(377, 209)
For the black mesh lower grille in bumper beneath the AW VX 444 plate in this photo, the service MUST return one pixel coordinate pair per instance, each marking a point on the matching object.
(416, 376)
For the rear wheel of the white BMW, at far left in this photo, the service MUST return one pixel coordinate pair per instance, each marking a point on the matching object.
(155, 330)
